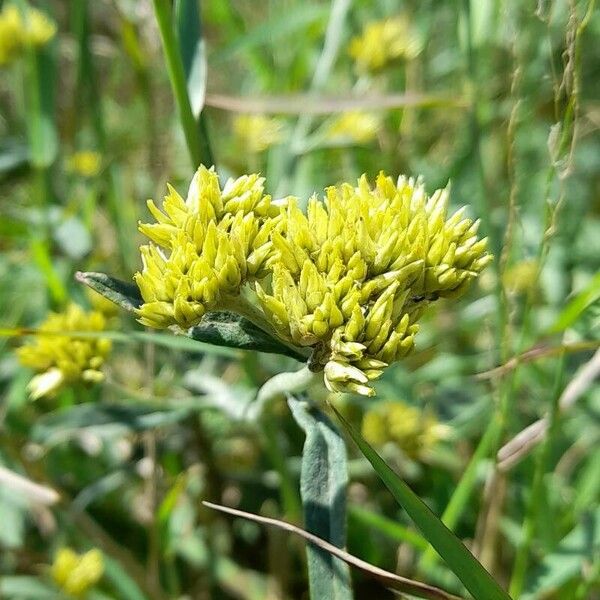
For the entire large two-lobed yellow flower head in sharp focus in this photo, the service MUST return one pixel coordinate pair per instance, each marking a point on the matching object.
(349, 279)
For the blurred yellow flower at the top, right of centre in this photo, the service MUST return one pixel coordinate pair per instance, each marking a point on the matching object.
(382, 42)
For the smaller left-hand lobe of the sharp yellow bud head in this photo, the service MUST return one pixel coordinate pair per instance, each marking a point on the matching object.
(204, 248)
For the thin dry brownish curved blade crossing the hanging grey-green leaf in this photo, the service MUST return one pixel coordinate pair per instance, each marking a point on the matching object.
(390, 580)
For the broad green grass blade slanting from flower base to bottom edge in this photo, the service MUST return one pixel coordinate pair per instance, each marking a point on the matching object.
(462, 563)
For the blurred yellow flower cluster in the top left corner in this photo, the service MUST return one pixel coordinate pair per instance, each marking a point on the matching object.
(20, 29)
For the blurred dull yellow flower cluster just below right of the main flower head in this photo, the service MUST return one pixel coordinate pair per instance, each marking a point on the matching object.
(412, 430)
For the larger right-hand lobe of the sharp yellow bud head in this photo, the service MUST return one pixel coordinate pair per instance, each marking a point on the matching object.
(352, 276)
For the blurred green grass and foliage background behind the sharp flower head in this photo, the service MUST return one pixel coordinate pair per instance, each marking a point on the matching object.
(498, 97)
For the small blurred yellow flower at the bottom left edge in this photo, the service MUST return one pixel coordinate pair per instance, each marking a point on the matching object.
(76, 573)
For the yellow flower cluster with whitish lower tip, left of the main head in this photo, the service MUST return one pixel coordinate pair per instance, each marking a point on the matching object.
(62, 359)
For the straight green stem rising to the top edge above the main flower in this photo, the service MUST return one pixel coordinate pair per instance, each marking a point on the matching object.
(162, 10)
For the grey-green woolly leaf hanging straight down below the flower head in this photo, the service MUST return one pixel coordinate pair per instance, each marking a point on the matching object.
(323, 481)
